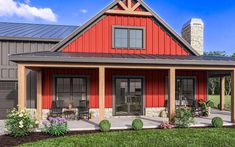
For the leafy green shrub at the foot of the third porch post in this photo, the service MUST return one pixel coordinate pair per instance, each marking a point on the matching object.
(183, 117)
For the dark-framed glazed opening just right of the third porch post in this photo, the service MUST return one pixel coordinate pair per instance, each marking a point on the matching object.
(185, 91)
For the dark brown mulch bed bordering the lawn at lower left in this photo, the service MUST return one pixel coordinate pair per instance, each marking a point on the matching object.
(8, 141)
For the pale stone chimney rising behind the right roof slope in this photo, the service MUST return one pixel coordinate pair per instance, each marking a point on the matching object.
(193, 33)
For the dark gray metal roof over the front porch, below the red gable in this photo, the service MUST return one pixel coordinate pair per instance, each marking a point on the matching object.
(106, 58)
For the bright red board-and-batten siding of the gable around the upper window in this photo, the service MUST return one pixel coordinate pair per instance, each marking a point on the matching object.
(98, 38)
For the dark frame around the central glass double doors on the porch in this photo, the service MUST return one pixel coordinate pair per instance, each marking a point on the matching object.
(114, 77)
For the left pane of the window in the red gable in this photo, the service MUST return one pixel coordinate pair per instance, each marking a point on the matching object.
(120, 40)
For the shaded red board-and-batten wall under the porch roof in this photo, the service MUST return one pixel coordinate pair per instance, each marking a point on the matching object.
(155, 85)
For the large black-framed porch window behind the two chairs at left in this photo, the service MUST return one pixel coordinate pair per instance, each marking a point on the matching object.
(71, 90)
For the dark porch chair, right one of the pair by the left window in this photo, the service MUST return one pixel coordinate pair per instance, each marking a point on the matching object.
(83, 110)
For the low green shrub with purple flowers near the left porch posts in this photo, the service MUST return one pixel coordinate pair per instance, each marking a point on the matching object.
(55, 126)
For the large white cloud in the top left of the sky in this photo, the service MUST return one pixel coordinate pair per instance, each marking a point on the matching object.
(11, 8)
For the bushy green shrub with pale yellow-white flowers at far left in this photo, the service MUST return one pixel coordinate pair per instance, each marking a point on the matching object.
(19, 123)
